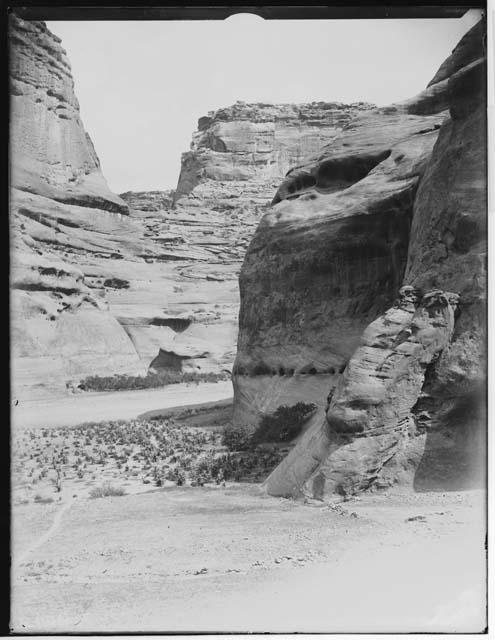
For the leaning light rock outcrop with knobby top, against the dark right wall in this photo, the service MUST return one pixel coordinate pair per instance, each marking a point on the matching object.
(368, 434)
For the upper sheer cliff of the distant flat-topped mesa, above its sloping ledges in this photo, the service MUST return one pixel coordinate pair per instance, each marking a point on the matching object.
(248, 148)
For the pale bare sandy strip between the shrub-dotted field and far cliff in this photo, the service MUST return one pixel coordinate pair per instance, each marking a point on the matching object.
(121, 405)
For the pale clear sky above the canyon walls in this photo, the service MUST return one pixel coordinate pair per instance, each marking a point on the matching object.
(142, 85)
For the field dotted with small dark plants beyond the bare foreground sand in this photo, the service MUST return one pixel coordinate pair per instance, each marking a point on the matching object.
(99, 458)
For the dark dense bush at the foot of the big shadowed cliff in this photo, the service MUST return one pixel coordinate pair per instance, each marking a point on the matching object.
(284, 424)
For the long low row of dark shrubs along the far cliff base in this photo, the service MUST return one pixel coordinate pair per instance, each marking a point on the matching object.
(122, 382)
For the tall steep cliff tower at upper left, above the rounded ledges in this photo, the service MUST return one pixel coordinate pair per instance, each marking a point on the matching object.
(52, 155)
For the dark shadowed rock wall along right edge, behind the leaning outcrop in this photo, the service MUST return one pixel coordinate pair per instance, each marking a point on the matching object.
(448, 249)
